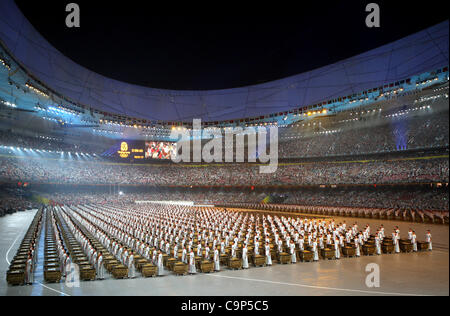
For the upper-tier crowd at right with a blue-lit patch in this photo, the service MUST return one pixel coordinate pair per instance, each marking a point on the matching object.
(355, 138)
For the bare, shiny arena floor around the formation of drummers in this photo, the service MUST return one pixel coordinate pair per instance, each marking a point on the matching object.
(401, 274)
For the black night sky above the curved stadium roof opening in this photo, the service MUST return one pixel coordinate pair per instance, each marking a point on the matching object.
(220, 44)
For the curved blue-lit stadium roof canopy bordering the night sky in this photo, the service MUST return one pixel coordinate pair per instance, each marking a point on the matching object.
(421, 52)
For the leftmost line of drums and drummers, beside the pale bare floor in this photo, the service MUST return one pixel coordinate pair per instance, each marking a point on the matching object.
(21, 268)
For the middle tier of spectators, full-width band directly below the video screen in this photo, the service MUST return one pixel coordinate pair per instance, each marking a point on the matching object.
(76, 172)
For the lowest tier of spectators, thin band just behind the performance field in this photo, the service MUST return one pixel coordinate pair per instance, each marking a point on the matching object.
(411, 198)
